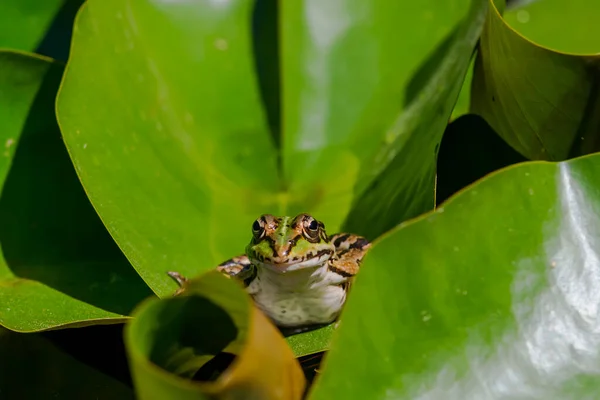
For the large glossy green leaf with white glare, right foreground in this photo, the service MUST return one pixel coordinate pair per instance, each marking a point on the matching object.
(494, 295)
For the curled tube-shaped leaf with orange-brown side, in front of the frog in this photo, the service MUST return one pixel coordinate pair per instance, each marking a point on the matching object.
(171, 340)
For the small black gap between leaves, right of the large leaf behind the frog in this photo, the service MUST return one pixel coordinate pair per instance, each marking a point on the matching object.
(470, 149)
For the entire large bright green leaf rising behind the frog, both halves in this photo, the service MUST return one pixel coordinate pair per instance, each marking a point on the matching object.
(176, 149)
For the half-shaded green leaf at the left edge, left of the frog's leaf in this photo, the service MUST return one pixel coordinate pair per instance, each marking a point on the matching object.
(59, 266)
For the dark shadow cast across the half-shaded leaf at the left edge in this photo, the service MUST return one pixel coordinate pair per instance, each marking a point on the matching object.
(49, 232)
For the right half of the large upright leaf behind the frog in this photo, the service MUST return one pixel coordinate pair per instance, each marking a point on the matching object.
(363, 111)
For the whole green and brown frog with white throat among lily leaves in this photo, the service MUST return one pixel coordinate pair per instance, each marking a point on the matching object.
(296, 274)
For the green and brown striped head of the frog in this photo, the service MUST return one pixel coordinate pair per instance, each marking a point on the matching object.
(285, 244)
